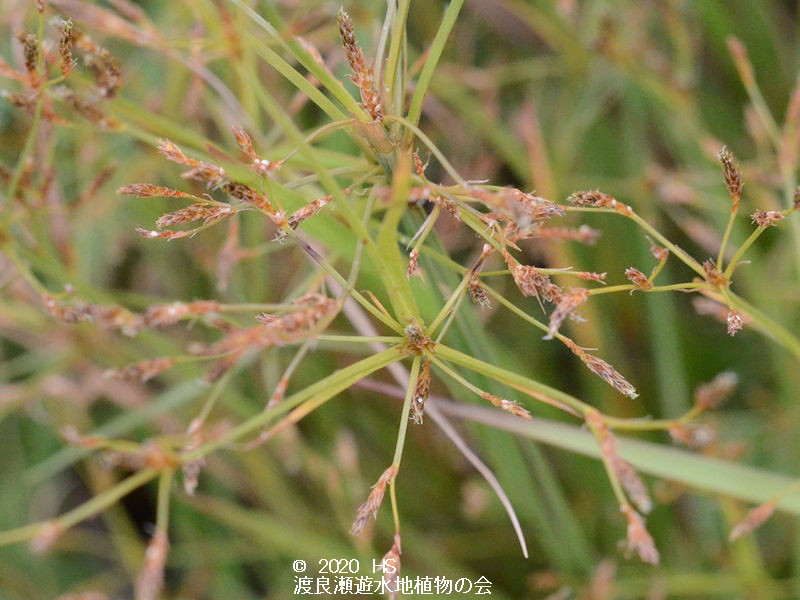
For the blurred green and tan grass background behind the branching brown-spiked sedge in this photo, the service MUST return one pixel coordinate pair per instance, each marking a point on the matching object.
(634, 98)
